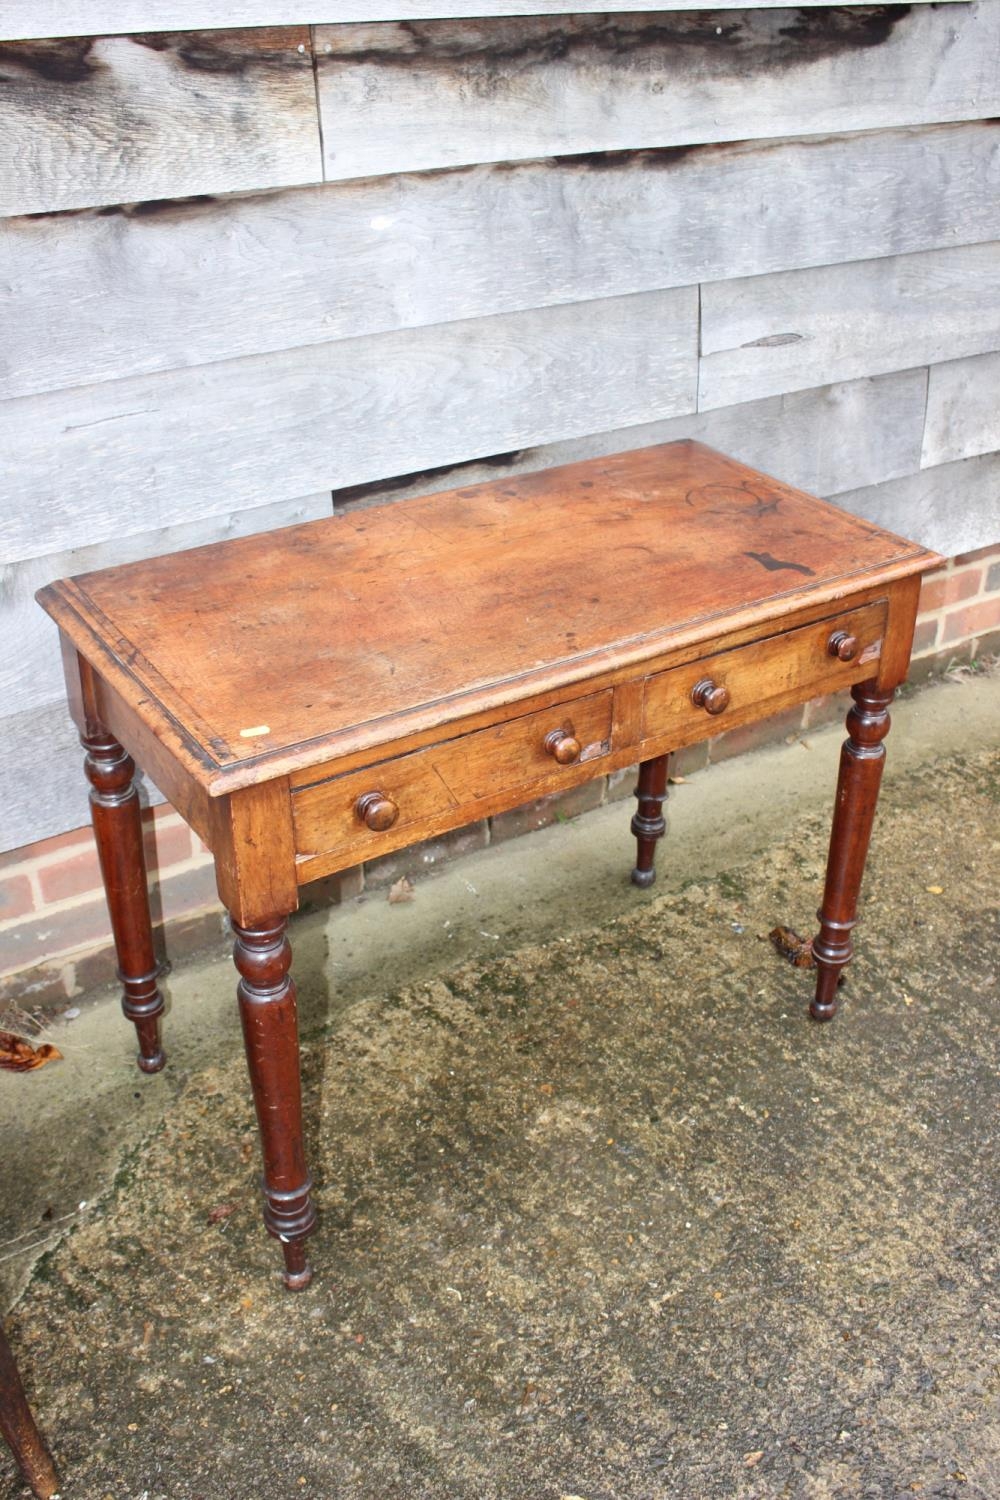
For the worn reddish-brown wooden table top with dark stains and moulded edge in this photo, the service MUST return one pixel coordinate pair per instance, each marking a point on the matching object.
(355, 629)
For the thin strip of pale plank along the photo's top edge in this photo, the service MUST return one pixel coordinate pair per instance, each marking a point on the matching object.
(25, 19)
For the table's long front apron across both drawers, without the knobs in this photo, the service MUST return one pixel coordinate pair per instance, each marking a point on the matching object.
(481, 775)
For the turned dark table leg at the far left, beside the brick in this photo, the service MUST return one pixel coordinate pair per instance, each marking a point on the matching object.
(115, 808)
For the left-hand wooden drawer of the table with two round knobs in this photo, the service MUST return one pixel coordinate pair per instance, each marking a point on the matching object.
(379, 809)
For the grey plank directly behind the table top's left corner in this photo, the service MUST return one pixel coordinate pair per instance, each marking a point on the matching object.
(34, 673)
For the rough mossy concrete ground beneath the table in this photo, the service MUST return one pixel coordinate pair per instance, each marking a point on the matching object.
(603, 1216)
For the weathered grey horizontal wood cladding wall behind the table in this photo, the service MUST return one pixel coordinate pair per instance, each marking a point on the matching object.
(540, 238)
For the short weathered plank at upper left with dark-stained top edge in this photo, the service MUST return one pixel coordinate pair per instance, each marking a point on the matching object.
(116, 119)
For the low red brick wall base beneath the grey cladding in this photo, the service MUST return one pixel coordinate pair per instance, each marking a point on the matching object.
(53, 923)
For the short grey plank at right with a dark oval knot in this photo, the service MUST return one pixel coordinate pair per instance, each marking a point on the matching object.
(795, 329)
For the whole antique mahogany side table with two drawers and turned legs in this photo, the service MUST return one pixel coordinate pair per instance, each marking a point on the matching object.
(328, 694)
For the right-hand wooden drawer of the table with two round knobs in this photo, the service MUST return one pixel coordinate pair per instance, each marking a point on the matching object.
(752, 682)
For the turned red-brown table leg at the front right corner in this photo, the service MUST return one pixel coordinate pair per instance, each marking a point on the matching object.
(861, 763)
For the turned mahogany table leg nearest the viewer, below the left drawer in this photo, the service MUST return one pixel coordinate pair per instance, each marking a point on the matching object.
(271, 1033)
